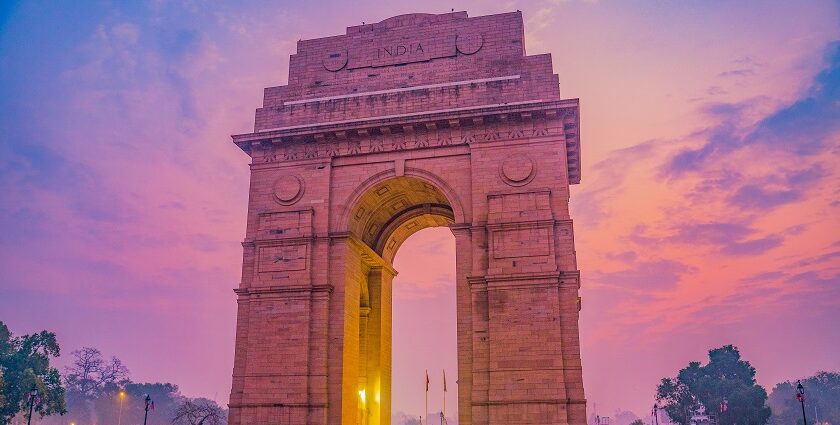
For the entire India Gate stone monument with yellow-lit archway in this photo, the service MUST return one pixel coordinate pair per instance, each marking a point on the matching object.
(420, 120)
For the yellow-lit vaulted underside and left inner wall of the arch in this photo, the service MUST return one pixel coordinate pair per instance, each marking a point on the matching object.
(383, 217)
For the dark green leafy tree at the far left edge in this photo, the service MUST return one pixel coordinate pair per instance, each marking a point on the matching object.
(25, 364)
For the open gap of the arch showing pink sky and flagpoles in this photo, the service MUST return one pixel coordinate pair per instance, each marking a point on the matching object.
(425, 327)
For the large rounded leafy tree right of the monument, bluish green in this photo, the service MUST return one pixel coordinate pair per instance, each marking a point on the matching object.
(725, 386)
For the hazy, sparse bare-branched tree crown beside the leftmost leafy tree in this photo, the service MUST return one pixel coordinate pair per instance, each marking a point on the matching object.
(91, 375)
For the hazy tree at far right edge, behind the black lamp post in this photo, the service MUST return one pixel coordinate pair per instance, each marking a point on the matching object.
(822, 398)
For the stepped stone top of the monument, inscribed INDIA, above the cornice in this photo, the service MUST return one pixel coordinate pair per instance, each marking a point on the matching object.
(407, 65)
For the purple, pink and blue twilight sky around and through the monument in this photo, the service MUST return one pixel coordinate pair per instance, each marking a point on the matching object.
(708, 214)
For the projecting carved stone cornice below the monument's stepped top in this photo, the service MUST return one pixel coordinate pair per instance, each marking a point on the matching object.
(540, 119)
